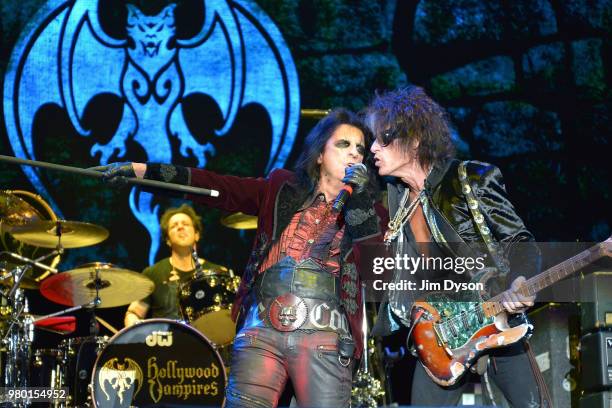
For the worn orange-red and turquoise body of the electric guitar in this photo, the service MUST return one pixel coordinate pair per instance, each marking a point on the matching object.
(449, 336)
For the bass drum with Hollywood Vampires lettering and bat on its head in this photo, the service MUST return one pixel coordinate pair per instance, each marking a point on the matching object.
(158, 363)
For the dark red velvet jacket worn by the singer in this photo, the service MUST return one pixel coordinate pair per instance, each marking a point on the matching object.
(274, 200)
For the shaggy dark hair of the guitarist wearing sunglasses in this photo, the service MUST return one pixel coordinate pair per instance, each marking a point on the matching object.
(410, 115)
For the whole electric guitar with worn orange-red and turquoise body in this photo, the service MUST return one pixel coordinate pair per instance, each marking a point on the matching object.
(450, 336)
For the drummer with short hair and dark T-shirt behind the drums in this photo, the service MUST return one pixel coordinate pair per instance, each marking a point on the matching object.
(181, 230)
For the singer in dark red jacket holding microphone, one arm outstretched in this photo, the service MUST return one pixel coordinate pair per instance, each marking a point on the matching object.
(298, 306)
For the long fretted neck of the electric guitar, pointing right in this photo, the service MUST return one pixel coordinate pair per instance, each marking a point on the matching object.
(545, 279)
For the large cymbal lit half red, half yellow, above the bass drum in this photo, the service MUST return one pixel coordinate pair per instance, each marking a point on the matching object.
(117, 286)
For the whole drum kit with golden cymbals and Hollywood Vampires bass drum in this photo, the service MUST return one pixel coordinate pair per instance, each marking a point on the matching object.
(156, 362)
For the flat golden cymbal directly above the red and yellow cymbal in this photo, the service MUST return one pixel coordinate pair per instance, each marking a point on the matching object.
(75, 234)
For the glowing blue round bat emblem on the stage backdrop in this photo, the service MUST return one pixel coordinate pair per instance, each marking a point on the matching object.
(153, 68)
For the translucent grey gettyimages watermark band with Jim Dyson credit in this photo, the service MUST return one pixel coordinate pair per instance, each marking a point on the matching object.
(561, 271)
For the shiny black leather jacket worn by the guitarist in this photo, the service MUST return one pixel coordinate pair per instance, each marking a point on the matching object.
(452, 226)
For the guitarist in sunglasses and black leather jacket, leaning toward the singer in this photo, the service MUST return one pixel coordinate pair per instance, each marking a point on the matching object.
(441, 207)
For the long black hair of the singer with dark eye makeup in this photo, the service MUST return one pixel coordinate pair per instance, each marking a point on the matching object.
(307, 168)
